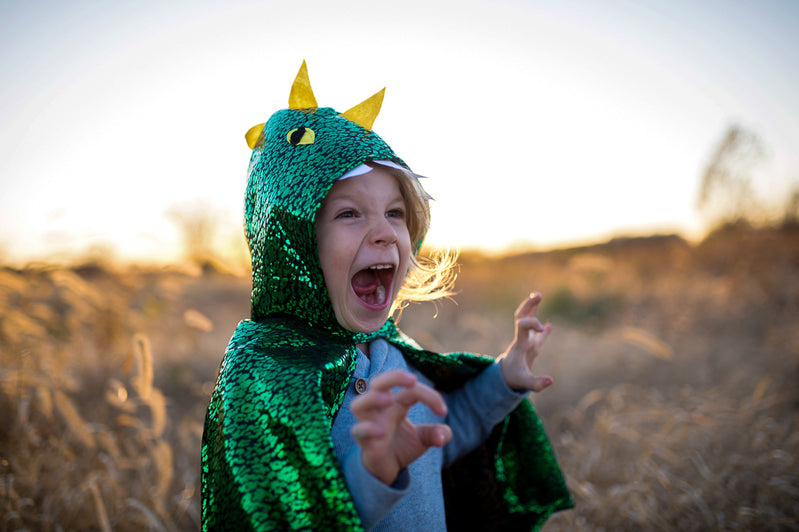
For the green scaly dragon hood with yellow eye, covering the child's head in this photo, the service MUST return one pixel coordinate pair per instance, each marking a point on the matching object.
(297, 157)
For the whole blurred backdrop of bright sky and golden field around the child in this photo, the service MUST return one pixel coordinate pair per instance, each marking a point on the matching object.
(635, 162)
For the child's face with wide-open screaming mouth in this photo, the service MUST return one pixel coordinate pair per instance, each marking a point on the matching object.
(364, 248)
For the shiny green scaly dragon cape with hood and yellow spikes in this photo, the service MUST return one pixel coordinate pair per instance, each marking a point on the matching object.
(268, 461)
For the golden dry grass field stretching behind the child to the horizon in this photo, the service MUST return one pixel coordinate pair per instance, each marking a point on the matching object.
(675, 404)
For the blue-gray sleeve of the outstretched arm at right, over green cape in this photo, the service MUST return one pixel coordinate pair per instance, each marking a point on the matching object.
(476, 408)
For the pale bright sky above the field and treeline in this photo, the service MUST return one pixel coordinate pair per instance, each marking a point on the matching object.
(541, 123)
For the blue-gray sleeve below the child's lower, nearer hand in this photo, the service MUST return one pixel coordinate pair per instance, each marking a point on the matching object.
(372, 498)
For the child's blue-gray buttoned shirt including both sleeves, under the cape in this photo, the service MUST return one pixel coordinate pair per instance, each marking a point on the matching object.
(415, 501)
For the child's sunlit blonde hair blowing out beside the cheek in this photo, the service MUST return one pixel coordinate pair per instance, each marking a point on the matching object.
(429, 277)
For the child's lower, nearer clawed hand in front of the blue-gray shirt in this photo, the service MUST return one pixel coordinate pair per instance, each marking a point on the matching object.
(389, 441)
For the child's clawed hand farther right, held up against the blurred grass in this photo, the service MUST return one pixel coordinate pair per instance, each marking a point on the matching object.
(517, 361)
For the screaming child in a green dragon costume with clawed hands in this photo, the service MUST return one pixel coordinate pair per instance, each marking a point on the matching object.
(325, 416)
